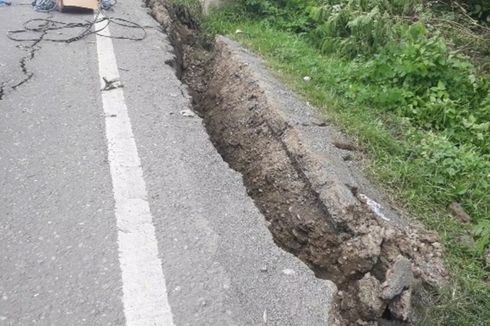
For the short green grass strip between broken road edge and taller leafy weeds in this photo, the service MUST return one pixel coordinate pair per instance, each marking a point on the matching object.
(420, 168)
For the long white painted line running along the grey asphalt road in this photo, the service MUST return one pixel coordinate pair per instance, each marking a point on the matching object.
(144, 291)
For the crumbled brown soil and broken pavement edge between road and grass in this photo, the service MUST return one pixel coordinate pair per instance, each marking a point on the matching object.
(318, 216)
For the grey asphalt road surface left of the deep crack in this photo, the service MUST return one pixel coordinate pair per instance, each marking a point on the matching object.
(63, 250)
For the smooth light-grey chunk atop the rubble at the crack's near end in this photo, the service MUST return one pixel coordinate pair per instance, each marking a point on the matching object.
(398, 278)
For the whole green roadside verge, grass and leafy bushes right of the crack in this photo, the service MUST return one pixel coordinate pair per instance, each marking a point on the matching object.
(420, 108)
